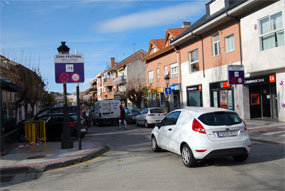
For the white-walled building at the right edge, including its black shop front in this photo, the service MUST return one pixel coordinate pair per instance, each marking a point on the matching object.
(263, 54)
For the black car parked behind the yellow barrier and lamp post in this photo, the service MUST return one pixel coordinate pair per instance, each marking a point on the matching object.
(54, 126)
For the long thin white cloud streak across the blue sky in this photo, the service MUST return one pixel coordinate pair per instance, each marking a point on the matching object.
(154, 17)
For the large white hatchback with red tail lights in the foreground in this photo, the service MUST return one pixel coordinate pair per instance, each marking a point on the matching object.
(198, 133)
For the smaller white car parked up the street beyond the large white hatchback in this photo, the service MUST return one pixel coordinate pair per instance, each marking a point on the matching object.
(150, 116)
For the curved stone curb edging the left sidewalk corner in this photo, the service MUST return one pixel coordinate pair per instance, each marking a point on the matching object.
(43, 168)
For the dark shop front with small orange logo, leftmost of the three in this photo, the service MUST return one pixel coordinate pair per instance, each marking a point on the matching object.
(194, 95)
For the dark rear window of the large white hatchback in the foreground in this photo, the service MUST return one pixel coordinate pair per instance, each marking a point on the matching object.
(220, 118)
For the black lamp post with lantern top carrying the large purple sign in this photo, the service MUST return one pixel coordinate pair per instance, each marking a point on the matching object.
(66, 141)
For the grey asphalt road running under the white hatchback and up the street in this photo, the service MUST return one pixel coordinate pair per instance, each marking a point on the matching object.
(131, 165)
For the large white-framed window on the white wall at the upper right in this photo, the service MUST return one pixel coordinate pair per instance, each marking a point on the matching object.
(271, 31)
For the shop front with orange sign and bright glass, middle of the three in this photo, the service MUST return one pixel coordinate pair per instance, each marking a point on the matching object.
(222, 95)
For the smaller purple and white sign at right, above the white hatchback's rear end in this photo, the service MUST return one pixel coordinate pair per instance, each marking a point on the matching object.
(236, 74)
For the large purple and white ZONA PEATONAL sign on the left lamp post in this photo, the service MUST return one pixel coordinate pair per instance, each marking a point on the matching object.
(69, 68)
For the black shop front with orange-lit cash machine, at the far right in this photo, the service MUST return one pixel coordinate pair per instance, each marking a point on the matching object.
(262, 96)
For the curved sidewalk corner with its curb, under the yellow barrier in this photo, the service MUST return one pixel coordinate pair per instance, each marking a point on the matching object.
(21, 160)
